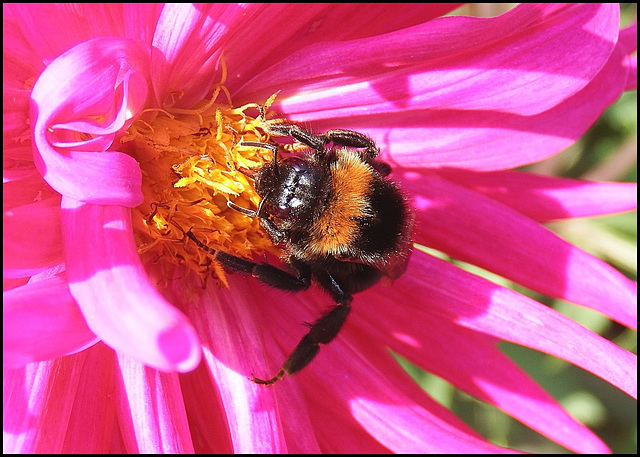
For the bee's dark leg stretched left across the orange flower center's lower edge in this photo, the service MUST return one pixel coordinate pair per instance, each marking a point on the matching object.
(268, 274)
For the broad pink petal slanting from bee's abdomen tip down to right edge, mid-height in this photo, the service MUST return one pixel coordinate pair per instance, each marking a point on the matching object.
(481, 231)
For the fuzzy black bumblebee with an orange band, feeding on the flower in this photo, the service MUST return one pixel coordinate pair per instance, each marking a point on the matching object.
(342, 225)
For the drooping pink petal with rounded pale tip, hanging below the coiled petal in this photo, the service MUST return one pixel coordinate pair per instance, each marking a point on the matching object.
(121, 305)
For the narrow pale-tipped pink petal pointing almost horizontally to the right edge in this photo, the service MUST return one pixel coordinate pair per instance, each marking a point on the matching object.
(545, 198)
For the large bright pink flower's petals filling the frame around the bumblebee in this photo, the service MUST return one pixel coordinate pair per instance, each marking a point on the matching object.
(102, 350)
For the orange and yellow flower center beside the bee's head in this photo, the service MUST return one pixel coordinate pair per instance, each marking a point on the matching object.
(192, 164)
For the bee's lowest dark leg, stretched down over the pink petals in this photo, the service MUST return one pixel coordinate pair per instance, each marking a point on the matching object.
(322, 331)
